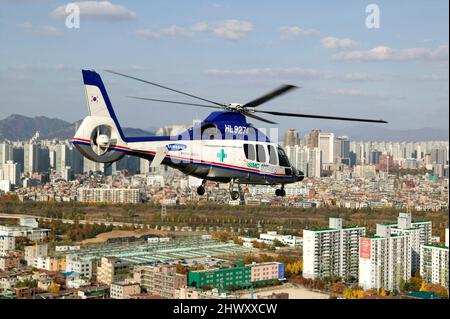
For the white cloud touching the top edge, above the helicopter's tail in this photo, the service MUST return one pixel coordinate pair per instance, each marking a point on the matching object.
(97, 9)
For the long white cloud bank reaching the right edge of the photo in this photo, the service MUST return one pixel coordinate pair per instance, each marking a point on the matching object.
(384, 53)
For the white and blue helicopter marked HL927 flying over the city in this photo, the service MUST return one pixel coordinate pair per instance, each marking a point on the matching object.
(222, 148)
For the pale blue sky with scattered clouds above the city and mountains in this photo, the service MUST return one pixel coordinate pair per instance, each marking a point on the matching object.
(230, 51)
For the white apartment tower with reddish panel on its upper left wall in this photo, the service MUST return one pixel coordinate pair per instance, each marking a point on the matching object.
(384, 260)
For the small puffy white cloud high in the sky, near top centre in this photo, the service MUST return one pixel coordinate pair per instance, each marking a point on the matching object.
(228, 29)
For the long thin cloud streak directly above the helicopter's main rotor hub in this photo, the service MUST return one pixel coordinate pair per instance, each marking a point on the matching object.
(273, 72)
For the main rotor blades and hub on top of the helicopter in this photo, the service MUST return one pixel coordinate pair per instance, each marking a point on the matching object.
(247, 109)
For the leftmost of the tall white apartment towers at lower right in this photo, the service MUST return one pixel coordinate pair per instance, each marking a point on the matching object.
(331, 251)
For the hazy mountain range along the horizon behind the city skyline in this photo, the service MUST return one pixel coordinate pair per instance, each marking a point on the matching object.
(20, 127)
